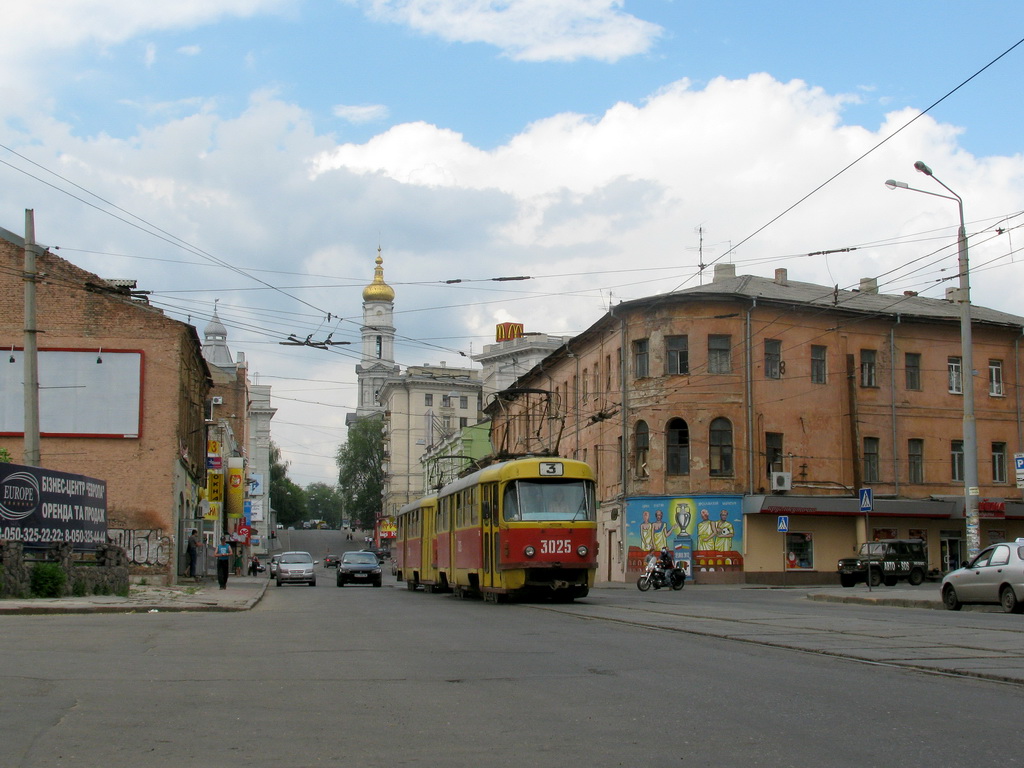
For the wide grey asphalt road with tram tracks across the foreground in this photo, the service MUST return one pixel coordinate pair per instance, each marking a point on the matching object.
(388, 677)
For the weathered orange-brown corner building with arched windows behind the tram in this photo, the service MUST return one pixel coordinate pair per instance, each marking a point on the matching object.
(710, 414)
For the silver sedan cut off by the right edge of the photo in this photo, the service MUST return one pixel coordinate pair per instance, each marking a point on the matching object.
(995, 576)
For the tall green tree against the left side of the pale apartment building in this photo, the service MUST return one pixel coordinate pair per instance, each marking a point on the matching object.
(361, 472)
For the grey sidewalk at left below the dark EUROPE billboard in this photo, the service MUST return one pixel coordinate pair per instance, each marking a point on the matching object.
(242, 594)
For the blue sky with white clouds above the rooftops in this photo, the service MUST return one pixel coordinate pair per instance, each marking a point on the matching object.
(580, 142)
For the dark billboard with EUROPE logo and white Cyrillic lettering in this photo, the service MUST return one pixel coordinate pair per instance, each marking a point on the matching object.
(39, 507)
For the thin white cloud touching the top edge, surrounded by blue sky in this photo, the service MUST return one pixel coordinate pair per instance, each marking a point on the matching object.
(528, 30)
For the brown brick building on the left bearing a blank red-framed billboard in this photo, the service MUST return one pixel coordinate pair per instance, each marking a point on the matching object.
(122, 394)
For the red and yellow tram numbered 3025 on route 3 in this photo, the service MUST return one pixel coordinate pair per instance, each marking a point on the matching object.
(522, 528)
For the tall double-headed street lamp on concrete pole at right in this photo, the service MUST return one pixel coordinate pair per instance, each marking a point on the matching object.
(971, 491)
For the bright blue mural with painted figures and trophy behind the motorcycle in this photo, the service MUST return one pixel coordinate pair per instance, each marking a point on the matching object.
(705, 532)
